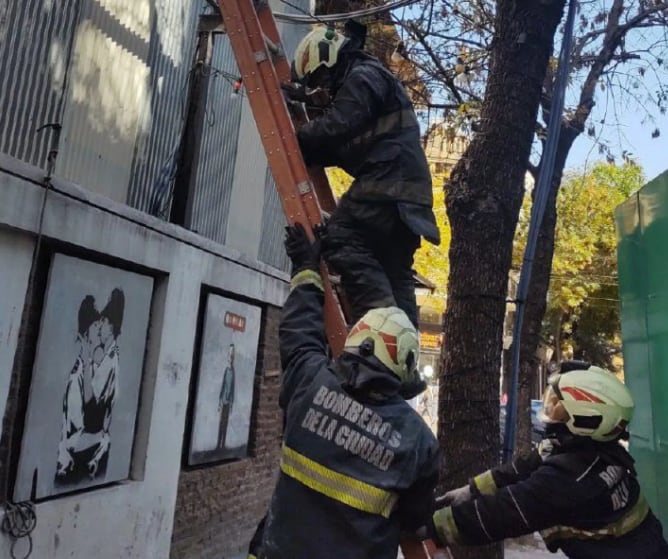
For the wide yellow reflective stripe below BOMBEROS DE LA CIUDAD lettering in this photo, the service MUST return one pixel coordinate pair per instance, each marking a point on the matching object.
(342, 488)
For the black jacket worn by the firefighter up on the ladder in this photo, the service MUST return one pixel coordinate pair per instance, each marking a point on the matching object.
(371, 132)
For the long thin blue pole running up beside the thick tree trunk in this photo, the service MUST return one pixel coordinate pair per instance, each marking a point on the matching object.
(537, 211)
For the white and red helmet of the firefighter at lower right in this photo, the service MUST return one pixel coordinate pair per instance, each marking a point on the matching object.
(590, 402)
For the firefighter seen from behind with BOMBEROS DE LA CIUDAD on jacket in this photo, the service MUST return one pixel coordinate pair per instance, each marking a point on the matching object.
(358, 464)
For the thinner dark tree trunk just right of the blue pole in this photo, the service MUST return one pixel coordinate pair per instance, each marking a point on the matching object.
(536, 302)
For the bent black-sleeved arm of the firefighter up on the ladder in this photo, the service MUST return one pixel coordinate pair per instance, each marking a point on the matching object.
(354, 109)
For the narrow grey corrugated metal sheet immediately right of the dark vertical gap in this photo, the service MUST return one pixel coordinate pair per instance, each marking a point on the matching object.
(215, 169)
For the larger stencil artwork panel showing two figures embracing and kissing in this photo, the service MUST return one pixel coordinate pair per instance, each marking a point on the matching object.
(85, 386)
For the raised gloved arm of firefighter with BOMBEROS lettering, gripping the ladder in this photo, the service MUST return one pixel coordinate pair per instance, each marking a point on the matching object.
(301, 333)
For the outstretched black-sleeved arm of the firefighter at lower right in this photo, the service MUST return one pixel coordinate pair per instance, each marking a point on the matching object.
(544, 499)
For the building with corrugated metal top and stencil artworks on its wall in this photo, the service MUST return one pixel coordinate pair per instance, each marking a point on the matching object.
(138, 222)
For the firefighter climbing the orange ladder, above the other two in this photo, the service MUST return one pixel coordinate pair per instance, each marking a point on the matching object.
(370, 130)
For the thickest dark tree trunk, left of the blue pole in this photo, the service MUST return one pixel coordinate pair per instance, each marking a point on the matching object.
(483, 199)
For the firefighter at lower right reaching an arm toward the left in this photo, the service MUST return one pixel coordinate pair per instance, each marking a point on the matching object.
(579, 489)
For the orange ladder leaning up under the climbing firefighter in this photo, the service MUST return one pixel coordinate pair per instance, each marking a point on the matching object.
(304, 193)
